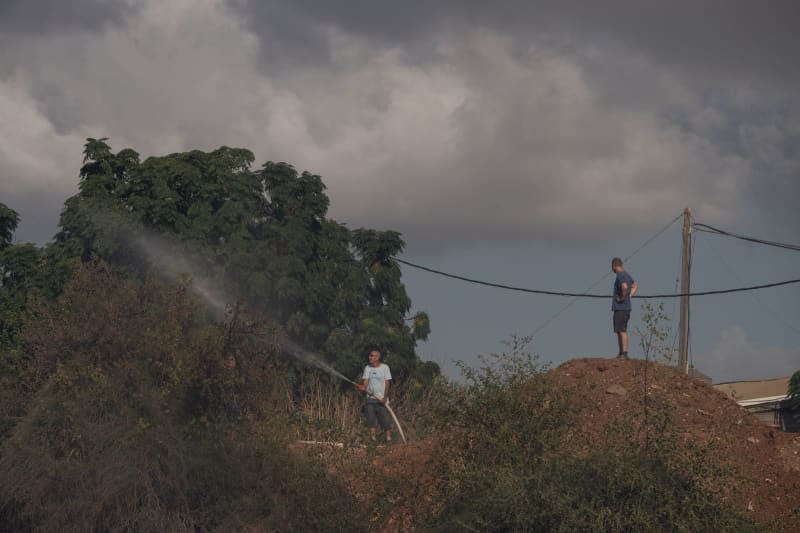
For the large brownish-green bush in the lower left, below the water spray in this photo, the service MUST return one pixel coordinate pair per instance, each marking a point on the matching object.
(127, 422)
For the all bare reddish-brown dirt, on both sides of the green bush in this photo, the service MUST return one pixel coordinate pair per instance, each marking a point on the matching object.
(734, 455)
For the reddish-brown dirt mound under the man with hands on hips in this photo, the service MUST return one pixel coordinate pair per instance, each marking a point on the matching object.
(758, 469)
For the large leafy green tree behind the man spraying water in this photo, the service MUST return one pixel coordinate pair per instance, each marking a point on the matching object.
(264, 234)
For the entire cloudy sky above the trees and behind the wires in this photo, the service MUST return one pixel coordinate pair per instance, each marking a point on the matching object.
(549, 136)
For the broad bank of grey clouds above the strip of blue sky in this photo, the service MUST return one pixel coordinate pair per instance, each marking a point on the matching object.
(509, 125)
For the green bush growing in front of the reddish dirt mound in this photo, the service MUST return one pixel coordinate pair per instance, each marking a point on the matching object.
(505, 469)
